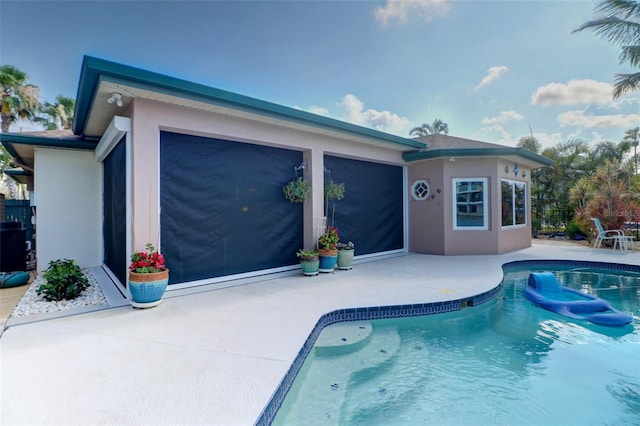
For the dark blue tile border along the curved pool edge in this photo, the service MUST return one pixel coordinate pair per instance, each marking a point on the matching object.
(418, 309)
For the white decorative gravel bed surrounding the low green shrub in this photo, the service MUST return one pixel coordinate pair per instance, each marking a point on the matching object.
(32, 304)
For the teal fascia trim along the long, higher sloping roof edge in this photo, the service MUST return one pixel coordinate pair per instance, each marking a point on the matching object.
(94, 69)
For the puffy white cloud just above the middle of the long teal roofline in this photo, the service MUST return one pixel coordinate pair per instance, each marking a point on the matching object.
(386, 121)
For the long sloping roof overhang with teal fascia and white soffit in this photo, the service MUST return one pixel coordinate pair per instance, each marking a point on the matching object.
(99, 79)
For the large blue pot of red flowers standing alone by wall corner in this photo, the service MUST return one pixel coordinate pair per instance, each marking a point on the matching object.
(148, 278)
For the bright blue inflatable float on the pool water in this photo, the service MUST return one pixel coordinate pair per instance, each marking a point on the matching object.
(543, 290)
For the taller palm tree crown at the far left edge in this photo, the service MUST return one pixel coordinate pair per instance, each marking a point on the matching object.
(17, 98)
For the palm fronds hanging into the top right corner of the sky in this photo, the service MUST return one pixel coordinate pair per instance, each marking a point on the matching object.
(620, 25)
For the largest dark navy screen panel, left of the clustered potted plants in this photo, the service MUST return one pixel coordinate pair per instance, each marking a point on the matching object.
(223, 210)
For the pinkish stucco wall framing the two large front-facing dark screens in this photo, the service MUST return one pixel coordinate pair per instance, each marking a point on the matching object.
(150, 117)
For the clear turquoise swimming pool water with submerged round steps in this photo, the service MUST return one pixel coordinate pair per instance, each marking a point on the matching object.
(505, 362)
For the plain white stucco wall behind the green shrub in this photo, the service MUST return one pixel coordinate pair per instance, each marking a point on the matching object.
(69, 206)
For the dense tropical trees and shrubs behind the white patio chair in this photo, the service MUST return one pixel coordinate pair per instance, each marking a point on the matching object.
(586, 181)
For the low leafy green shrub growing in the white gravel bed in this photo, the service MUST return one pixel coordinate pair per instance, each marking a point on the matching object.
(64, 280)
